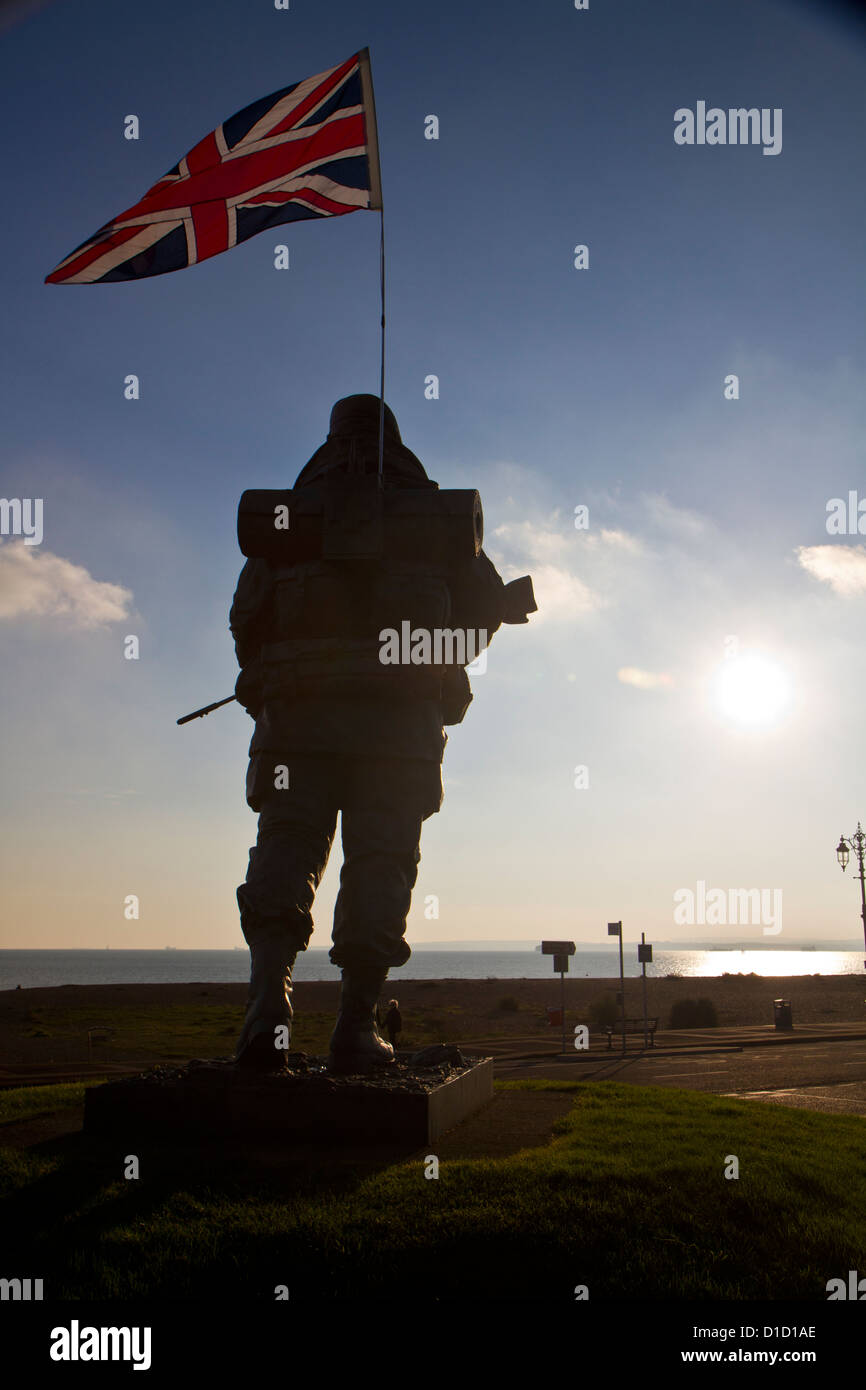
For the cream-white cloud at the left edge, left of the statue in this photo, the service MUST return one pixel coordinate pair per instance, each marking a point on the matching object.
(34, 583)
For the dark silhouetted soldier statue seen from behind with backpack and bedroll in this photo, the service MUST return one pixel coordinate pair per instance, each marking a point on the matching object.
(363, 598)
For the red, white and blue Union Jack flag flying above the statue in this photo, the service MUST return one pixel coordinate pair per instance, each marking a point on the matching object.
(308, 151)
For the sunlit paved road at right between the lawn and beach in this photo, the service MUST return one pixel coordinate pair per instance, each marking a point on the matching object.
(822, 1077)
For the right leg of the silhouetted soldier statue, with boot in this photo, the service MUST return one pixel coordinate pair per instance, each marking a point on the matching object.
(383, 810)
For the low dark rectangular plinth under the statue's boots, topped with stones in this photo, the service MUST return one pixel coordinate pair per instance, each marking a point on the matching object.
(405, 1103)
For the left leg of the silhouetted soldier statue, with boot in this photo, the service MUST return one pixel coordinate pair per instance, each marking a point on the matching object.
(297, 828)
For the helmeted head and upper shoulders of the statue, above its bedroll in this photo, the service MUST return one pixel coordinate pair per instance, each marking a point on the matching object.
(354, 447)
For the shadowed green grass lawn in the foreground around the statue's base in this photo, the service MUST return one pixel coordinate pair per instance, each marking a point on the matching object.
(629, 1197)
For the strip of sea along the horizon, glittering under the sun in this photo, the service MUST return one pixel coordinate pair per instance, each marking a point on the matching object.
(34, 970)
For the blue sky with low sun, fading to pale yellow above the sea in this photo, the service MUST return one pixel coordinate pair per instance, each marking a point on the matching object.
(558, 389)
